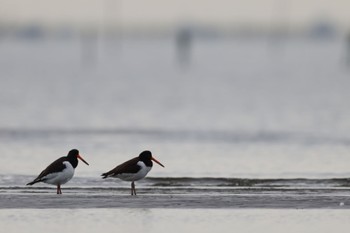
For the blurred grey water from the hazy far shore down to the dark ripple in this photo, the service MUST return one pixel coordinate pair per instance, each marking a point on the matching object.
(242, 107)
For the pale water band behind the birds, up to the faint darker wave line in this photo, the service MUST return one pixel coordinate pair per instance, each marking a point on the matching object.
(184, 154)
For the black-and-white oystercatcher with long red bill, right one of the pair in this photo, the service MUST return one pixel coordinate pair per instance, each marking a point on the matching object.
(134, 169)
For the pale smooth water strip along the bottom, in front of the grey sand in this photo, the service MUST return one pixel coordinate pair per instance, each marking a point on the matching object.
(175, 220)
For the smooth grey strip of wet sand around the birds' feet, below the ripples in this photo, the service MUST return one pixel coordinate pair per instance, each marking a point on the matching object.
(224, 198)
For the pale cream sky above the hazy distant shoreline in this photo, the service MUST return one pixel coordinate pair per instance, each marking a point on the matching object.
(168, 13)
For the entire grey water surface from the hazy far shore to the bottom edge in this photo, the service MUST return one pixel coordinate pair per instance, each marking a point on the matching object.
(254, 136)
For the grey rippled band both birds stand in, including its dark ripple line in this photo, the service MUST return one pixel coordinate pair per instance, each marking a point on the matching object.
(218, 193)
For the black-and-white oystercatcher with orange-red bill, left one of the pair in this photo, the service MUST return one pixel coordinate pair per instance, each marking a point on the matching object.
(60, 171)
